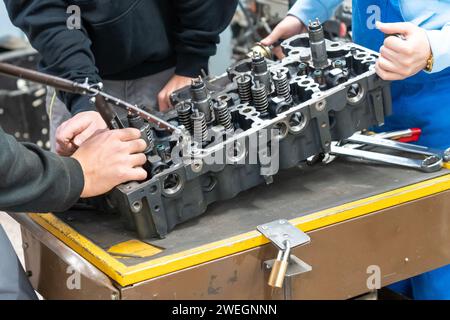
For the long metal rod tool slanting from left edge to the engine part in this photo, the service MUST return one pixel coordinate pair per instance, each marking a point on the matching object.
(105, 110)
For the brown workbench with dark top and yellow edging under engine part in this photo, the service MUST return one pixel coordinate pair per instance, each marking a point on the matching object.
(357, 215)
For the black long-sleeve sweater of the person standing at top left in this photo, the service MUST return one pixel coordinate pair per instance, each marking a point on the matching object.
(121, 39)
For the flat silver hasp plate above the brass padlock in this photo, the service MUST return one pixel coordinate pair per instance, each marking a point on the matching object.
(281, 230)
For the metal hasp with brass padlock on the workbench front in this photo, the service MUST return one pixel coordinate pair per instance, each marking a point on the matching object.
(285, 237)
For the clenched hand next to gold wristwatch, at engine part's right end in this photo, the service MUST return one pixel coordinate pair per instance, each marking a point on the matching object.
(402, 58)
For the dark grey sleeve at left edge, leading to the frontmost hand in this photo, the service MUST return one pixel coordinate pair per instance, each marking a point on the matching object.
(35, 180)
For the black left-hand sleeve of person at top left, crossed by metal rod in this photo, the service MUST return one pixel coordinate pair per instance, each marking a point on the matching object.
(60, 47)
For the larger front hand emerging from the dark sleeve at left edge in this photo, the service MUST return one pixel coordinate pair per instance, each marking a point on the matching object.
(110, 158)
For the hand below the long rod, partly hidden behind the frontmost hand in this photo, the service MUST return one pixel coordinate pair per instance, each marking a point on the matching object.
(74, 132)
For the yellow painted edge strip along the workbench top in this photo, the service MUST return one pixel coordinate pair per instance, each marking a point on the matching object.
(128, 275)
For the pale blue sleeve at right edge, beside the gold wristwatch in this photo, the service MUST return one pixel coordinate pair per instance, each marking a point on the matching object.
(440, 46)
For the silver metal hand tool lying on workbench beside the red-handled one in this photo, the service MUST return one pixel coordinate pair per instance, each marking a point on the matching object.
(350, 147)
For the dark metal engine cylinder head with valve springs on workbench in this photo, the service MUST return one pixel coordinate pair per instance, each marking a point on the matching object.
(312, 101)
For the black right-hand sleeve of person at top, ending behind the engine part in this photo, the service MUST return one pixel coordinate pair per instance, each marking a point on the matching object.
(199, 24)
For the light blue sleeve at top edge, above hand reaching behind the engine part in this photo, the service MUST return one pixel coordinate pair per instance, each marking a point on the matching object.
(309, 10)
